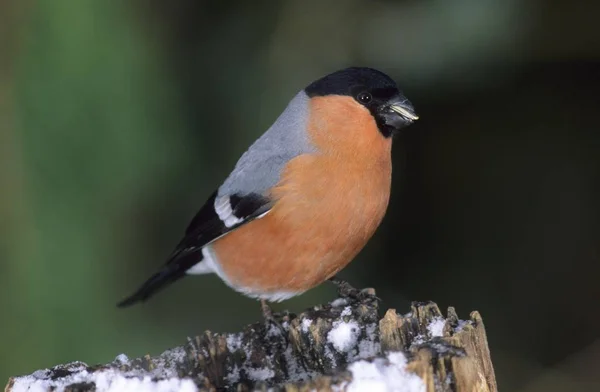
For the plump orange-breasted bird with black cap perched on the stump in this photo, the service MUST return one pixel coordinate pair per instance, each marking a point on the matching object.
(305, 197)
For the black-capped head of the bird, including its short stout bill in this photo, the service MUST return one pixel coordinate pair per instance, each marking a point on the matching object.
(374, 90)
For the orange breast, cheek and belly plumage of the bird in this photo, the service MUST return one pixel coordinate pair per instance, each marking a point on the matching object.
(328, 206)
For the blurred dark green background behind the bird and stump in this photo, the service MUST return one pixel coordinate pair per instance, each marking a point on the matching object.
(118, 118)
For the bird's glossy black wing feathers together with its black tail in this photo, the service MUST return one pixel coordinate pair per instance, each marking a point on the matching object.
(204, 228)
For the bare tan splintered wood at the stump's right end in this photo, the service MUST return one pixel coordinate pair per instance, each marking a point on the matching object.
(448, 354)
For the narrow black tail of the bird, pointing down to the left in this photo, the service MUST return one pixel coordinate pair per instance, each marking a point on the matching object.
(171, 272)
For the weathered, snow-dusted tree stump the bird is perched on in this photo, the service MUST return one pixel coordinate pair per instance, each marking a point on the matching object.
(340, 346)
